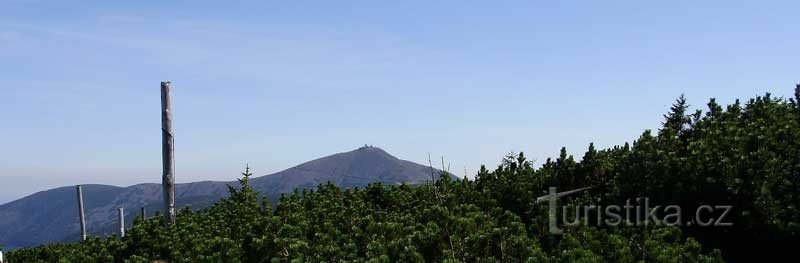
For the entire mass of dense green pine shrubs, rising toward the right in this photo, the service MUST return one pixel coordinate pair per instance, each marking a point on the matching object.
(746, 155)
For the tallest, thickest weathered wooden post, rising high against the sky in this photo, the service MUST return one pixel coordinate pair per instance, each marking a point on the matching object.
(167, 154)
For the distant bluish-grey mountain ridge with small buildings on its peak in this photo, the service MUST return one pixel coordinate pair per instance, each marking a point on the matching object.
(51, 215)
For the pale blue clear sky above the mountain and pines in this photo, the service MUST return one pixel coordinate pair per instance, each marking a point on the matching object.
(277, 83)
